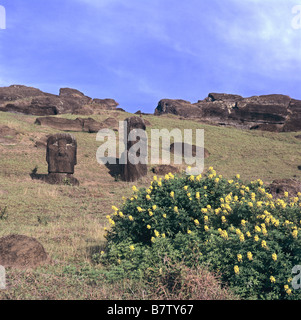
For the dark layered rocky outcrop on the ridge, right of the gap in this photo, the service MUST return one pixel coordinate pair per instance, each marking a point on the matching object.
(268, 112)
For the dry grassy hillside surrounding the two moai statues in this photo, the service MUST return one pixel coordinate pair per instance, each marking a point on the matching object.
(69, 221)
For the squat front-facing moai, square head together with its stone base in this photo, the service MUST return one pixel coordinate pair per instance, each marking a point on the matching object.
(61, 157)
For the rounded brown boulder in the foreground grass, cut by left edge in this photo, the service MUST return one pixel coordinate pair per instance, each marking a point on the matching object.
(19, 251)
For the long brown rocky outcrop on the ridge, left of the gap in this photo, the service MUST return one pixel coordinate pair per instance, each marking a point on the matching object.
(32, 101)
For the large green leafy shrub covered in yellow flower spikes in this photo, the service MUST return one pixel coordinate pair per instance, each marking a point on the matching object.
(238, 229)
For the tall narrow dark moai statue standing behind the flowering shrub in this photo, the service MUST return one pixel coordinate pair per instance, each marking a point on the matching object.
(133, 163)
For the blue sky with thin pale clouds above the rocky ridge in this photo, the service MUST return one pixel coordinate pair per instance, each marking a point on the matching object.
(141, 51)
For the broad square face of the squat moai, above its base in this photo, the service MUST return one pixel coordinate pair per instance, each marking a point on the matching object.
(61, 153)
